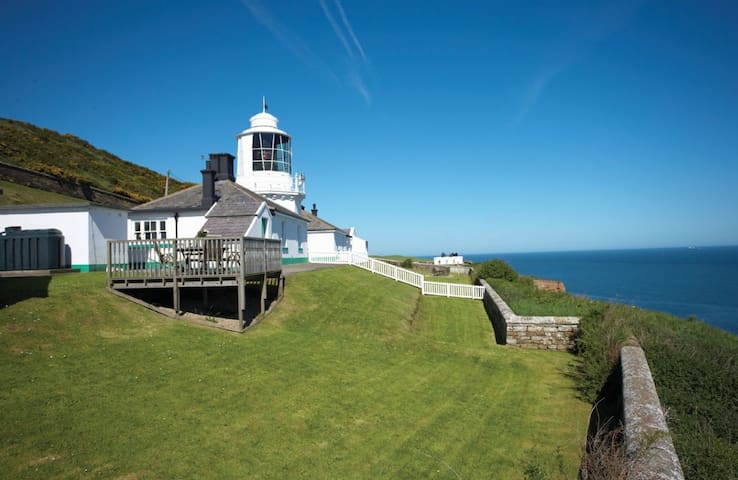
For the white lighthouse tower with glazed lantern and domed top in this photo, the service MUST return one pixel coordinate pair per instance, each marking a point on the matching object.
(265, 162)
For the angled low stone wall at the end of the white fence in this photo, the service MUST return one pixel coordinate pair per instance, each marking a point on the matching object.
(550, 333)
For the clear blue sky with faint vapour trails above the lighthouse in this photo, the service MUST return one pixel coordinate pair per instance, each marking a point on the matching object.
(469, 126)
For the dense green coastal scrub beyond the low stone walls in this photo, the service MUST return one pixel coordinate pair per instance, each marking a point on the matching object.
(694, 365)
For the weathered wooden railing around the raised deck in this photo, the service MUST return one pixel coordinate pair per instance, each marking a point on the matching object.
(192, 257)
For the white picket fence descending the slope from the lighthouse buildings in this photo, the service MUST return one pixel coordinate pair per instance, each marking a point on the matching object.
(398, 274)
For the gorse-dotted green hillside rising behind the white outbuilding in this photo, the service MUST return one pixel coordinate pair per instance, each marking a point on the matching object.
(70, 158)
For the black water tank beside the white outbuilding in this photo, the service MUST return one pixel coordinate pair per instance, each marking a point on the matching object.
(31, 249)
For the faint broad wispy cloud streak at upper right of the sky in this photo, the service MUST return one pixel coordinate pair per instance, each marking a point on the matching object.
(594, 27)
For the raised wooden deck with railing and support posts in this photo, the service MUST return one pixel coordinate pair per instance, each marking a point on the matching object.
(182, 263)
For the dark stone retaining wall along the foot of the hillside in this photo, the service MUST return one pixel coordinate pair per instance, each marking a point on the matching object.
(49, 183)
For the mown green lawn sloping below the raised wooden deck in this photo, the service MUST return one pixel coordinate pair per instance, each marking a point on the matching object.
(352, 376)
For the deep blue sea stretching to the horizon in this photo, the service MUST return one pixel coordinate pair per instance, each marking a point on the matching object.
(698, 282)
